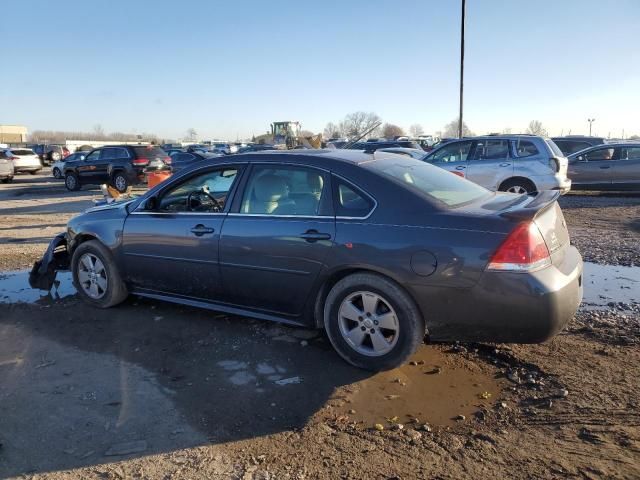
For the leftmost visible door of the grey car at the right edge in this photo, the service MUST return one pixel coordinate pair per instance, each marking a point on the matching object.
(593, 168)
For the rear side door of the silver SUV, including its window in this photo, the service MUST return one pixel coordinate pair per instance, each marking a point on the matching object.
(490, 164)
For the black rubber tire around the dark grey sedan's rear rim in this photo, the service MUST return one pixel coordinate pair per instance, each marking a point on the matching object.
(411, 326)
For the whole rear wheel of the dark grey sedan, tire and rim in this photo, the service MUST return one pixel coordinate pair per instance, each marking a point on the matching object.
(372, 322)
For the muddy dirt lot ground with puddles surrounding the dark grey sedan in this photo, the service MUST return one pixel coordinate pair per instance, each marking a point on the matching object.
(150, 390)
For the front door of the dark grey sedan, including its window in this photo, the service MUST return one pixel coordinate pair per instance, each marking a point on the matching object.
(170, 244)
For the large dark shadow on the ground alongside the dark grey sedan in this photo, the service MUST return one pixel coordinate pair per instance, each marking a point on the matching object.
(101, 385)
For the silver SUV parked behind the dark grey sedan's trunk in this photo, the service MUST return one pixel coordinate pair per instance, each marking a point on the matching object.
(509, 163)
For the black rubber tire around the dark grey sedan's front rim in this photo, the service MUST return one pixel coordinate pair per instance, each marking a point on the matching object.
(116, 290)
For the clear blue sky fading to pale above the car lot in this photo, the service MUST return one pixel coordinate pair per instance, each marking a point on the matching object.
(230, 68)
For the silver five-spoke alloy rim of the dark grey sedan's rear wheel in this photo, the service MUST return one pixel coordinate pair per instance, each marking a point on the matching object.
(368, 323)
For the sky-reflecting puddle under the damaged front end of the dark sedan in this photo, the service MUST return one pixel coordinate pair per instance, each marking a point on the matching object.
(15, 288)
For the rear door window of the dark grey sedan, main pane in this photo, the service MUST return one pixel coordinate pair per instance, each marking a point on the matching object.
(284, 190)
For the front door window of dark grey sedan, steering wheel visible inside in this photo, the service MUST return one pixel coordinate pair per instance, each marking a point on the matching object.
(204, 193)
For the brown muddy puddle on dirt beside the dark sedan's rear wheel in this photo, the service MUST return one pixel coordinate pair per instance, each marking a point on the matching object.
(434, 388)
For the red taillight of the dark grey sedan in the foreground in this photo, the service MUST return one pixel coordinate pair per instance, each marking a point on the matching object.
(523, 250)
